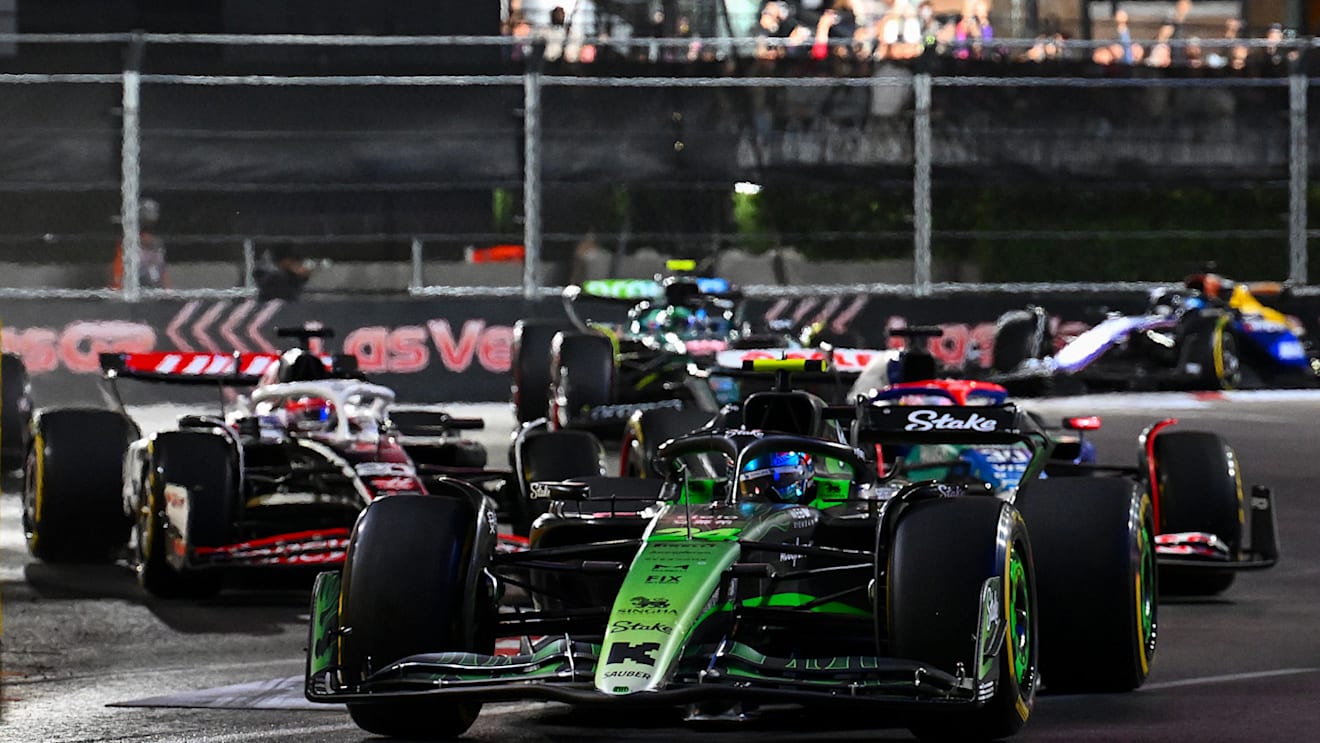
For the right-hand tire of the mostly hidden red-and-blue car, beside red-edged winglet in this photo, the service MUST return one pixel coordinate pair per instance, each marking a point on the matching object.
(1201, 490)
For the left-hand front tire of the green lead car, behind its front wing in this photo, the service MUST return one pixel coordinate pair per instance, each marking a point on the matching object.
(414, 568)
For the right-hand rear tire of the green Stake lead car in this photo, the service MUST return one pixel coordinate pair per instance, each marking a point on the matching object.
(1095, 546)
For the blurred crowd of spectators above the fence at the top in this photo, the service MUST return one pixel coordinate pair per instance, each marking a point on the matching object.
(906, 30)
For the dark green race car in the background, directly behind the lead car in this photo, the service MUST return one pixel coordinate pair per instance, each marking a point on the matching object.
(678, 335)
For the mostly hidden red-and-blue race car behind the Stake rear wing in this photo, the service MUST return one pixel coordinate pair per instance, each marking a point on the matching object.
(1206, 529)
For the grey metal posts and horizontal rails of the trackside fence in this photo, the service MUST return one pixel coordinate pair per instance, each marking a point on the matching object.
(919, 155)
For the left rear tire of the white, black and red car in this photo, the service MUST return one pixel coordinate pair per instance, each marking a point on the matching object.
(73, 496)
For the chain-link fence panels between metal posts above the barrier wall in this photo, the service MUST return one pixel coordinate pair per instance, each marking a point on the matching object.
(517, 179)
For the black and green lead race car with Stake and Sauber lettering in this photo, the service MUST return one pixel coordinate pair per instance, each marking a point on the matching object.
(778, 564)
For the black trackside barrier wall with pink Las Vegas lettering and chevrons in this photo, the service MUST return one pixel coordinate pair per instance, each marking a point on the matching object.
(439, 350)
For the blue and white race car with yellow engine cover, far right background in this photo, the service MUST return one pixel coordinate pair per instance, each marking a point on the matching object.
(1211, 333)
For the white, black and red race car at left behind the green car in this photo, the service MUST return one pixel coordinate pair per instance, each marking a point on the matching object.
(277, 480)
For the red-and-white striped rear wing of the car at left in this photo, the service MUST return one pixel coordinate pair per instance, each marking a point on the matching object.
(200, 368)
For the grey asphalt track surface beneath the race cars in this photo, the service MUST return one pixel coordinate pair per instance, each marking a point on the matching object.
(1241, 667)
